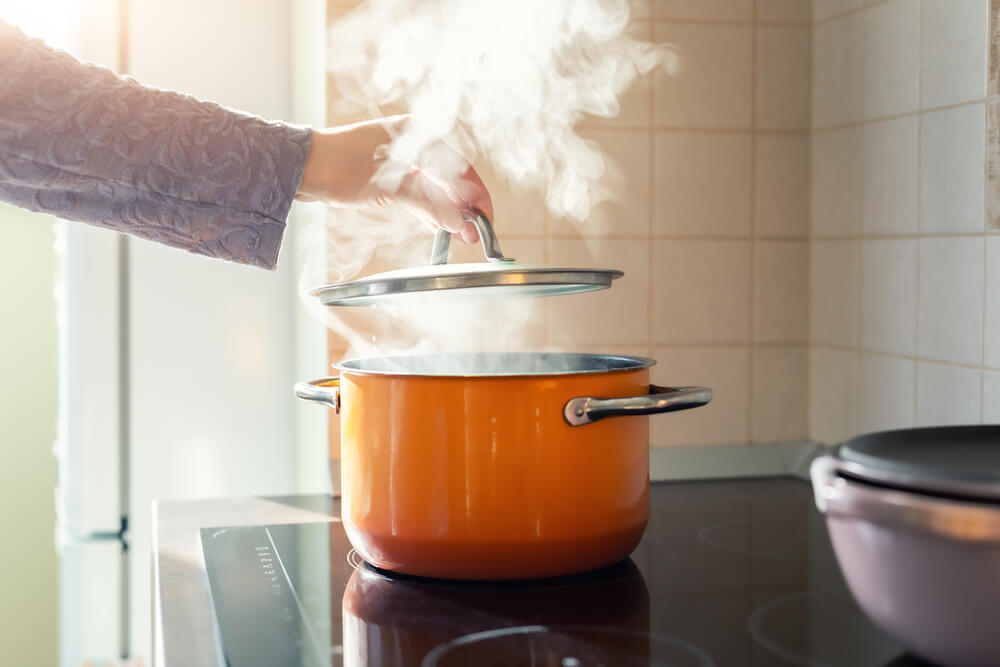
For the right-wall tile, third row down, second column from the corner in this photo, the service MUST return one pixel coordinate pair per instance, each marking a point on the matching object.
(889, 296)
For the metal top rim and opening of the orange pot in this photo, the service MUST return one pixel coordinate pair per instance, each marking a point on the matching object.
(536, 364)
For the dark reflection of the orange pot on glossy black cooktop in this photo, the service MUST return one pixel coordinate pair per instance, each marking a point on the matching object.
(391, 621)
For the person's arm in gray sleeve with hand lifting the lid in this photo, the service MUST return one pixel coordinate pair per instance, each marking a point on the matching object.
(82, 143)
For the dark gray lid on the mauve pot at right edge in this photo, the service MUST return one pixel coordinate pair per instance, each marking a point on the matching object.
(954, 461)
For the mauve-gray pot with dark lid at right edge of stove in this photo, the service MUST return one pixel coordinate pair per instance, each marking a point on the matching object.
(922, 560)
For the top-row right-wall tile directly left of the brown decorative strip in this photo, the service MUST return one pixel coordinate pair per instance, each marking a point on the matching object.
(954, 43)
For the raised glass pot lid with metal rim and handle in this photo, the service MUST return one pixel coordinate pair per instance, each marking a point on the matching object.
(498, 276)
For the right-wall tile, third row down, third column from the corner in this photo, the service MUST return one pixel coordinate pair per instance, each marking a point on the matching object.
(951, 300)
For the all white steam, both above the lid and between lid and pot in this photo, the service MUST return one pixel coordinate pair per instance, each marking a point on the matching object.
(503, 81)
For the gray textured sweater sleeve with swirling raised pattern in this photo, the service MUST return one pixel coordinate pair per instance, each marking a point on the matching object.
(82, 143)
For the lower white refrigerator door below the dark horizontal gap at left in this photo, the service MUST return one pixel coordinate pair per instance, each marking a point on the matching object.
(91, 596)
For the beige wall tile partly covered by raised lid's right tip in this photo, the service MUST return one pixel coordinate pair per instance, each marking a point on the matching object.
(616, 315)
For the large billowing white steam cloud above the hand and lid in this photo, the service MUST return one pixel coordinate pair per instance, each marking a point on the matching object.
(505, 79)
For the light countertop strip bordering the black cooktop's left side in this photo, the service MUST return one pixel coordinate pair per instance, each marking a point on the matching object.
(184, 630)
